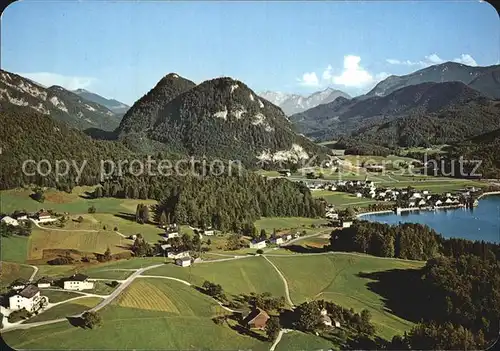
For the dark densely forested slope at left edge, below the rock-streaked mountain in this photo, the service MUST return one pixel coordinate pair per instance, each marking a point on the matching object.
(30, 135)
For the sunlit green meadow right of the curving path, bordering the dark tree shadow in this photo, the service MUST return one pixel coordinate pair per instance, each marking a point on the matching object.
(335, 277)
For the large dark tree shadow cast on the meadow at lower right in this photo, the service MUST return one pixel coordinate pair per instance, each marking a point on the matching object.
(402, 291)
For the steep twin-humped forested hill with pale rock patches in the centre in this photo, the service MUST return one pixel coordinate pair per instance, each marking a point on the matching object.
(218, 118)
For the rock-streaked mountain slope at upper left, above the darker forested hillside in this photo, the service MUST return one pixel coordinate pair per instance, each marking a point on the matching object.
(57, 102)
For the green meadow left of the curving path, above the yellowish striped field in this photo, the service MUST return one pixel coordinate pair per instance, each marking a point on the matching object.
(246, 275)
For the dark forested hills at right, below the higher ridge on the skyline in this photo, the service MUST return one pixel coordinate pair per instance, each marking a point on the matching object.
(410, 116)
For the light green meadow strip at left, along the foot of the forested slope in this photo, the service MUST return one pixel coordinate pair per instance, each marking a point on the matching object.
(74, 203)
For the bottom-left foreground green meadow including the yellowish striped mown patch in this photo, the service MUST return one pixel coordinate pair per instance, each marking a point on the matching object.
(186, 324)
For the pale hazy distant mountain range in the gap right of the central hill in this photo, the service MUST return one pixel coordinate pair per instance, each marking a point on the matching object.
(294, 103)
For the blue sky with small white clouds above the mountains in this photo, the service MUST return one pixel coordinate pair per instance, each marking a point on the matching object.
(121, 49)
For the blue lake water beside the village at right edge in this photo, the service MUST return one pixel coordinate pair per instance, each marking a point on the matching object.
(479, 223)
